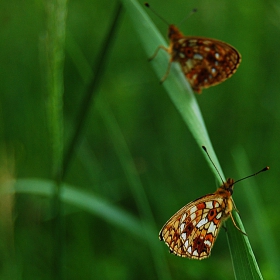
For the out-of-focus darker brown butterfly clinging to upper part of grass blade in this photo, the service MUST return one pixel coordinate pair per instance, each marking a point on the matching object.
(205, 62)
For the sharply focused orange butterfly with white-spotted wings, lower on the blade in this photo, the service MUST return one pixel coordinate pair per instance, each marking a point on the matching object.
(192, 231)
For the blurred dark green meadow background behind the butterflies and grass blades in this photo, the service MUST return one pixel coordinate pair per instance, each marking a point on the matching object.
(136, 153)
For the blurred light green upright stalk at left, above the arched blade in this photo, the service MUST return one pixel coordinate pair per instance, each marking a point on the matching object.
(54, 44)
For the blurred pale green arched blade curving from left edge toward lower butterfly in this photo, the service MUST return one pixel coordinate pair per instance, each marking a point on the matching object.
(83, 200)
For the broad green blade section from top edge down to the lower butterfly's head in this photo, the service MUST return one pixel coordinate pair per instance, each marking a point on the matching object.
(176, 84)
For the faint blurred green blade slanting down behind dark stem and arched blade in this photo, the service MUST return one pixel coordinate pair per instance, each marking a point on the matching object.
(126, 161)
